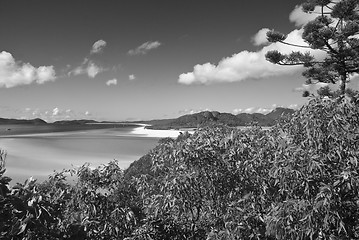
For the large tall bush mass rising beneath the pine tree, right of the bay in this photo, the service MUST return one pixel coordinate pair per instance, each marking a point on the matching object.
(298, 180)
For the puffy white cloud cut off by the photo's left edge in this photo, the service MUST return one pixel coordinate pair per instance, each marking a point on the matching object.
(14, 73)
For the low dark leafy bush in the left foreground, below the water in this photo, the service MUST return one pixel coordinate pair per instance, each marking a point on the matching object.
(99, 205)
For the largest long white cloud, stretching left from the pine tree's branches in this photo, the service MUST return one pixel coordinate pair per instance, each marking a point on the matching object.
(244, 65)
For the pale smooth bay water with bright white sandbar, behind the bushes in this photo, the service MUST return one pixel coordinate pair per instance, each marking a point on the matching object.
(38, 155)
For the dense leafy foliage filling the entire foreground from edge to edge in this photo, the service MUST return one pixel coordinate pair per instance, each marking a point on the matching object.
(297, 180)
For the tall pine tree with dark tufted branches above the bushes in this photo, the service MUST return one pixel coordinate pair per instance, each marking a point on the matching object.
(335, 32)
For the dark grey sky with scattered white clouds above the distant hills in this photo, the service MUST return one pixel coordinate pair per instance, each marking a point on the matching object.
(140, 59)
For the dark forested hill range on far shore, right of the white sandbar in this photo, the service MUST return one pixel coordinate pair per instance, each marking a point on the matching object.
(207, 117)
